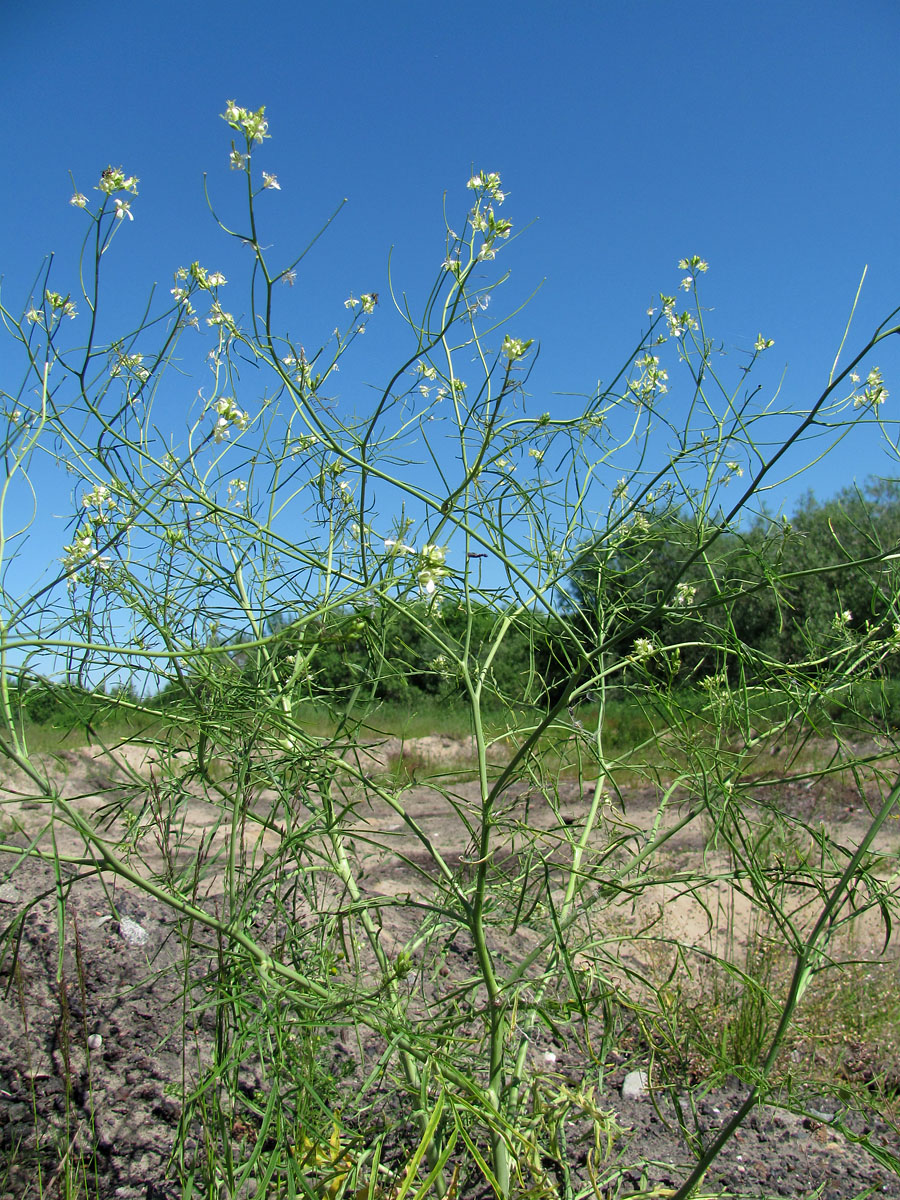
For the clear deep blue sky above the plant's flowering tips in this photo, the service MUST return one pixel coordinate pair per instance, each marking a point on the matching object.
(761, 136)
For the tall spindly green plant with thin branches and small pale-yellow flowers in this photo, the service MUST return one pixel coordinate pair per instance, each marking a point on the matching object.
(214, 565)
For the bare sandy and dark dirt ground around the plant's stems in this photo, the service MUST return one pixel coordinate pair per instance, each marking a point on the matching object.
(89, 1052)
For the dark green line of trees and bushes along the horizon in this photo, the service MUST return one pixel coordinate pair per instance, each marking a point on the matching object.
(683, 599)
